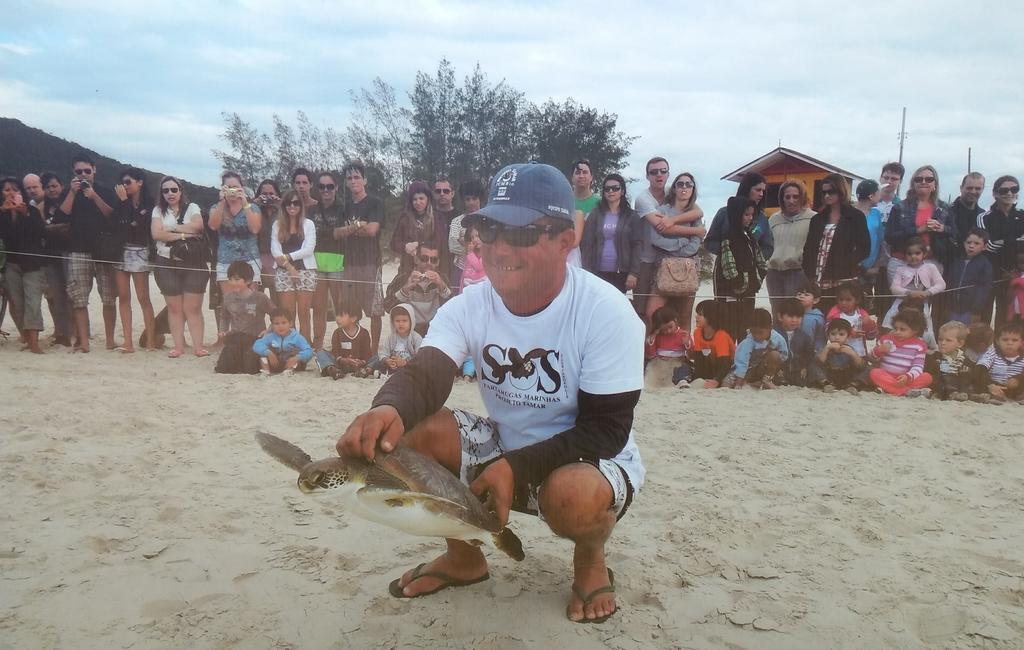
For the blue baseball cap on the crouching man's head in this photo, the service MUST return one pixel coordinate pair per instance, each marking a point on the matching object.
(523, 194)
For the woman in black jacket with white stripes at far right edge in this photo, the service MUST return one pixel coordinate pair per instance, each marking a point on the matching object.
(1005, 225)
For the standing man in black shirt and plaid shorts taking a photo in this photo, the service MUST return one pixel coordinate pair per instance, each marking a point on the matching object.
(89, 206)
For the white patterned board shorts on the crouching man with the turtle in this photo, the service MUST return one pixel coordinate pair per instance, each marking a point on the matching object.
(481, 447)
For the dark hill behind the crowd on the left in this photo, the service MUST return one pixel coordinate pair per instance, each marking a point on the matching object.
(25, 150)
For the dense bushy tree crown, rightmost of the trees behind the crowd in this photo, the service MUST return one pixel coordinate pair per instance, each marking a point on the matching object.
(562, 134)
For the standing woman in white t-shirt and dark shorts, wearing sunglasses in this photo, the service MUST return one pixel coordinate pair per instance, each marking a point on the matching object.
(182, 265)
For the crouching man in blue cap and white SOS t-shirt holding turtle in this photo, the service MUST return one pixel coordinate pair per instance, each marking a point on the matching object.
(561, 360)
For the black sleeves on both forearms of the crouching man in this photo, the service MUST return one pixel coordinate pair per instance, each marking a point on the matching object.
(603, 426)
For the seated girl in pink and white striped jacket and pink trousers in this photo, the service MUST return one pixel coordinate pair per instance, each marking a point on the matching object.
(902, 358)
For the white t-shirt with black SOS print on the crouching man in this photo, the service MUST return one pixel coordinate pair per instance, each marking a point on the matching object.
(532, 368)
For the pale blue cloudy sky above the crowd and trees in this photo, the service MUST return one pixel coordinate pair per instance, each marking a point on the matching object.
(710, 86)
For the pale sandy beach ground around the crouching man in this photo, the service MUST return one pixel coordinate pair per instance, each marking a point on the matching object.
(140, 513)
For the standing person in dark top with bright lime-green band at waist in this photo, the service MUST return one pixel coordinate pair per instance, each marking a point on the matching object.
(329, 219)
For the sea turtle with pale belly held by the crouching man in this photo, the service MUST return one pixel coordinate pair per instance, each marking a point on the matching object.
(403, 490)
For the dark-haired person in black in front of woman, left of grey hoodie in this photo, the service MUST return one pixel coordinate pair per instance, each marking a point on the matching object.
(740, 268)
